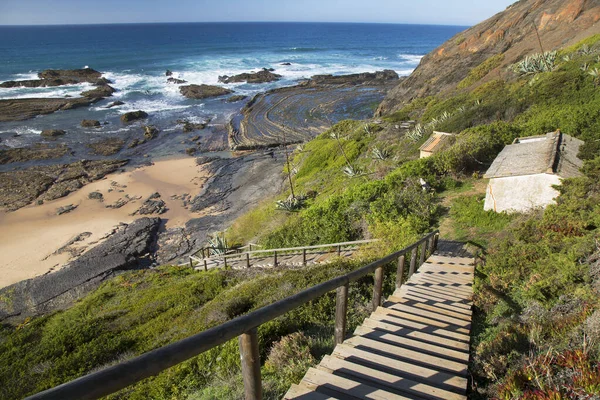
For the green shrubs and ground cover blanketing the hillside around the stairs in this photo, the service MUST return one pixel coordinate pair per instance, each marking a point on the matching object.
(536, 319)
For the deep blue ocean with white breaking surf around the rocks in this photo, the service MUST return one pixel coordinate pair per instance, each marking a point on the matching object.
(136, 56)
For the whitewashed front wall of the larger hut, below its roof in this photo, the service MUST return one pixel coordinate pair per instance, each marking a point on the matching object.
(521, 193)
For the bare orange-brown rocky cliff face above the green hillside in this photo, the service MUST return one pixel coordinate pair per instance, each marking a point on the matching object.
(512, 32)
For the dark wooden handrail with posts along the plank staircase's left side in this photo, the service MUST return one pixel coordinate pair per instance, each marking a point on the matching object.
(120, 376)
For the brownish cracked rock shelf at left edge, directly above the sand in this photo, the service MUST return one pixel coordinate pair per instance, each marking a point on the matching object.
(21, 188)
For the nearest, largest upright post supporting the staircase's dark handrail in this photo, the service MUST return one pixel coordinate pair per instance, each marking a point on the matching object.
(250, 365)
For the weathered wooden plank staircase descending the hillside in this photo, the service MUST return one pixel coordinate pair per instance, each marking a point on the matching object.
(415, 346)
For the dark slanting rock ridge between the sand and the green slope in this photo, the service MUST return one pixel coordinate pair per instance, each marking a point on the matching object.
(128, 248)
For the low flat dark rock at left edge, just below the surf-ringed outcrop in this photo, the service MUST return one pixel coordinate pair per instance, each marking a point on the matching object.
(22, 109)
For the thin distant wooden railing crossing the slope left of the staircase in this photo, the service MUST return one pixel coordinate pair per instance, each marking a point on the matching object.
(223, 259)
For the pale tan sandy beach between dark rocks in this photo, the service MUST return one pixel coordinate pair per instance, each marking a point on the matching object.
(31, 236)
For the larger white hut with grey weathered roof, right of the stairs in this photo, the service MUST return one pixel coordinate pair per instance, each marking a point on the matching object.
(524, 173)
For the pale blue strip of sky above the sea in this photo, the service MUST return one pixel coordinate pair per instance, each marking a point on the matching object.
(444, 12)
